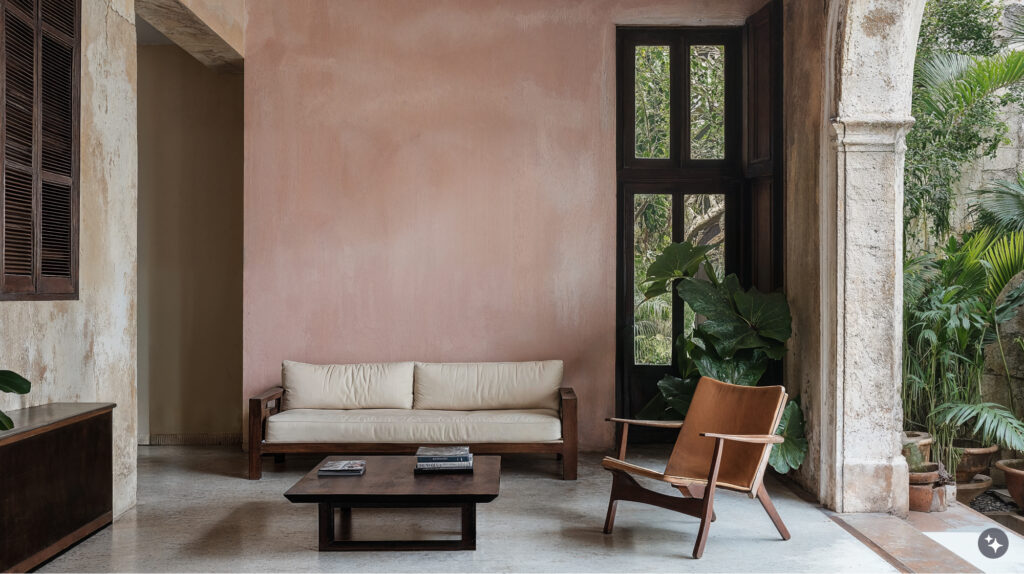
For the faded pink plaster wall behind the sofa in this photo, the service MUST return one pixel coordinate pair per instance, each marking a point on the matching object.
(436, 182)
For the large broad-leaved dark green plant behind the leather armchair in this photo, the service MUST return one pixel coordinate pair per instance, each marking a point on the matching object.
(740, 333)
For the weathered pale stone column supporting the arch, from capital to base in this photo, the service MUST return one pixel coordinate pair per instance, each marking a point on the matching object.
(869, 473)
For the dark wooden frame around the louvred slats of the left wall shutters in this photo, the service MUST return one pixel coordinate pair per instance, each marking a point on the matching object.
(40, 287)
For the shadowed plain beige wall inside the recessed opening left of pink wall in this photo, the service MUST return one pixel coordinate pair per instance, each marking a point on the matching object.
(190, 242)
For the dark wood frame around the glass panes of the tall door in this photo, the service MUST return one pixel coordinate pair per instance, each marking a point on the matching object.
(678, 176)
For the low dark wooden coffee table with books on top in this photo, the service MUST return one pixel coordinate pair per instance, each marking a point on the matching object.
(390, 483)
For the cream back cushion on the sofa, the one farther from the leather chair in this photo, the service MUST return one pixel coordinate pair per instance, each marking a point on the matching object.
(348, 386)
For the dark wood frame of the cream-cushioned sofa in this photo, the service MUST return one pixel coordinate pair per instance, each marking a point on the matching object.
(268, 404)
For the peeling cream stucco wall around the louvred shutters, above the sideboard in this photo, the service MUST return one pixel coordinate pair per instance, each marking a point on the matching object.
(86, 350)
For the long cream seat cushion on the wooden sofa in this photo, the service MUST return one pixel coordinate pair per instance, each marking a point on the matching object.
(422, 427)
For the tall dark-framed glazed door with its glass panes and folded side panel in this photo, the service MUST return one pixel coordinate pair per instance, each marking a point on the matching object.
(699, 142)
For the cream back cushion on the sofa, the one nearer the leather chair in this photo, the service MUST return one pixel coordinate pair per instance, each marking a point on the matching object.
(488, 386)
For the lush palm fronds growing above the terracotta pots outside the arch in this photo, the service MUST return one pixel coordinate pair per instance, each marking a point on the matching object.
(952, 311)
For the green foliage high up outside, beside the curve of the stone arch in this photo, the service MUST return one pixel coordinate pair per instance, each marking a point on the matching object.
(961, 87)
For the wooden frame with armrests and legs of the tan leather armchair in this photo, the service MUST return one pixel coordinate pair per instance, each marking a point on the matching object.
(698, 496)
